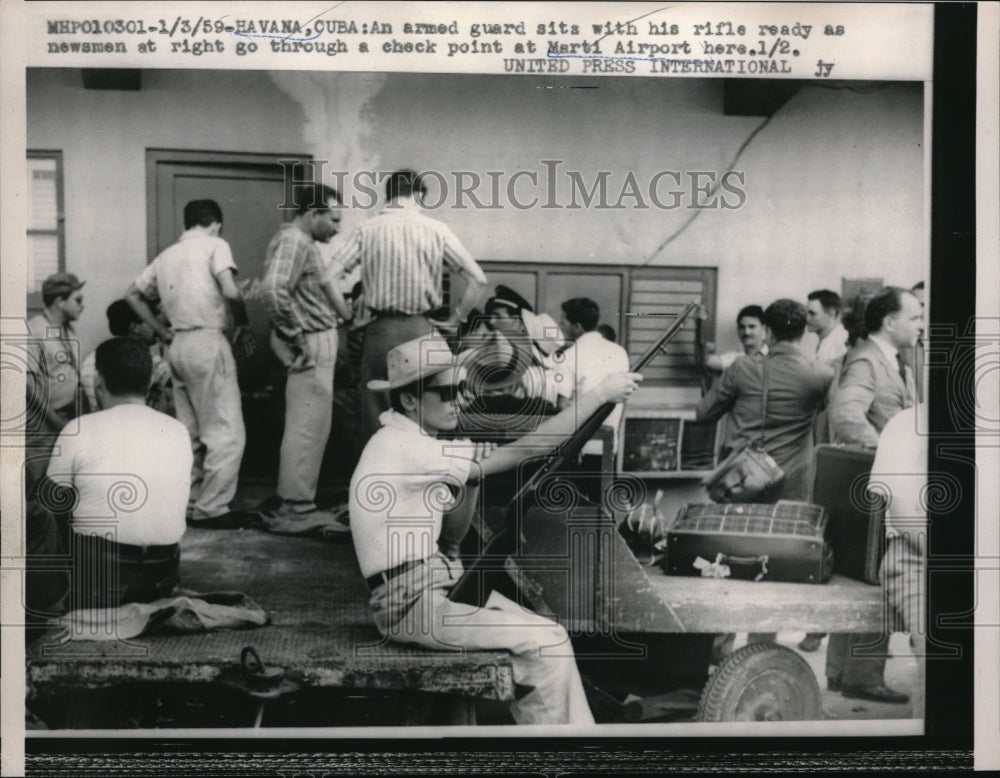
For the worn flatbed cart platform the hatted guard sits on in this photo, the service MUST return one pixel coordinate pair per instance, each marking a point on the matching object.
(320, 633)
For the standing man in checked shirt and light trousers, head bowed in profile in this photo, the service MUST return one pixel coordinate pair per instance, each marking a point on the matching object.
(303, 305)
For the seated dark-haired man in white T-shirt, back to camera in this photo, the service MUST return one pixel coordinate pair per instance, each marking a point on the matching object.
(130, 467)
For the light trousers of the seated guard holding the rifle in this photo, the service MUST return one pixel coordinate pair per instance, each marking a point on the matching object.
(414, 608)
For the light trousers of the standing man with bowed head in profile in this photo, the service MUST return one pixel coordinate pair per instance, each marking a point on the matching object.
(308, 413)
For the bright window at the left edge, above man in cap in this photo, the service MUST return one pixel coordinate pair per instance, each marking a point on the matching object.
(46, 245)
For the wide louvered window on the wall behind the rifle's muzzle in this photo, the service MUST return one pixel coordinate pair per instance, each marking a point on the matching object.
(639, 303)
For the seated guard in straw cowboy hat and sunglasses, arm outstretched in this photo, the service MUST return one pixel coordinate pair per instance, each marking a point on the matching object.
(398, 494)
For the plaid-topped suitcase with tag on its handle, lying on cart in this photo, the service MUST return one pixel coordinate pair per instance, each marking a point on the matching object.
(759, 541)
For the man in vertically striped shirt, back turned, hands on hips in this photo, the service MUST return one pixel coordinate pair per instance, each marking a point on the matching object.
(402, 254)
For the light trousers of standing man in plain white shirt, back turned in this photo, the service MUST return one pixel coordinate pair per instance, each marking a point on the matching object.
(207, 401)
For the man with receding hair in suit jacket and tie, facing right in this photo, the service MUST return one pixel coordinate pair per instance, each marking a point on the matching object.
(874, 385)
